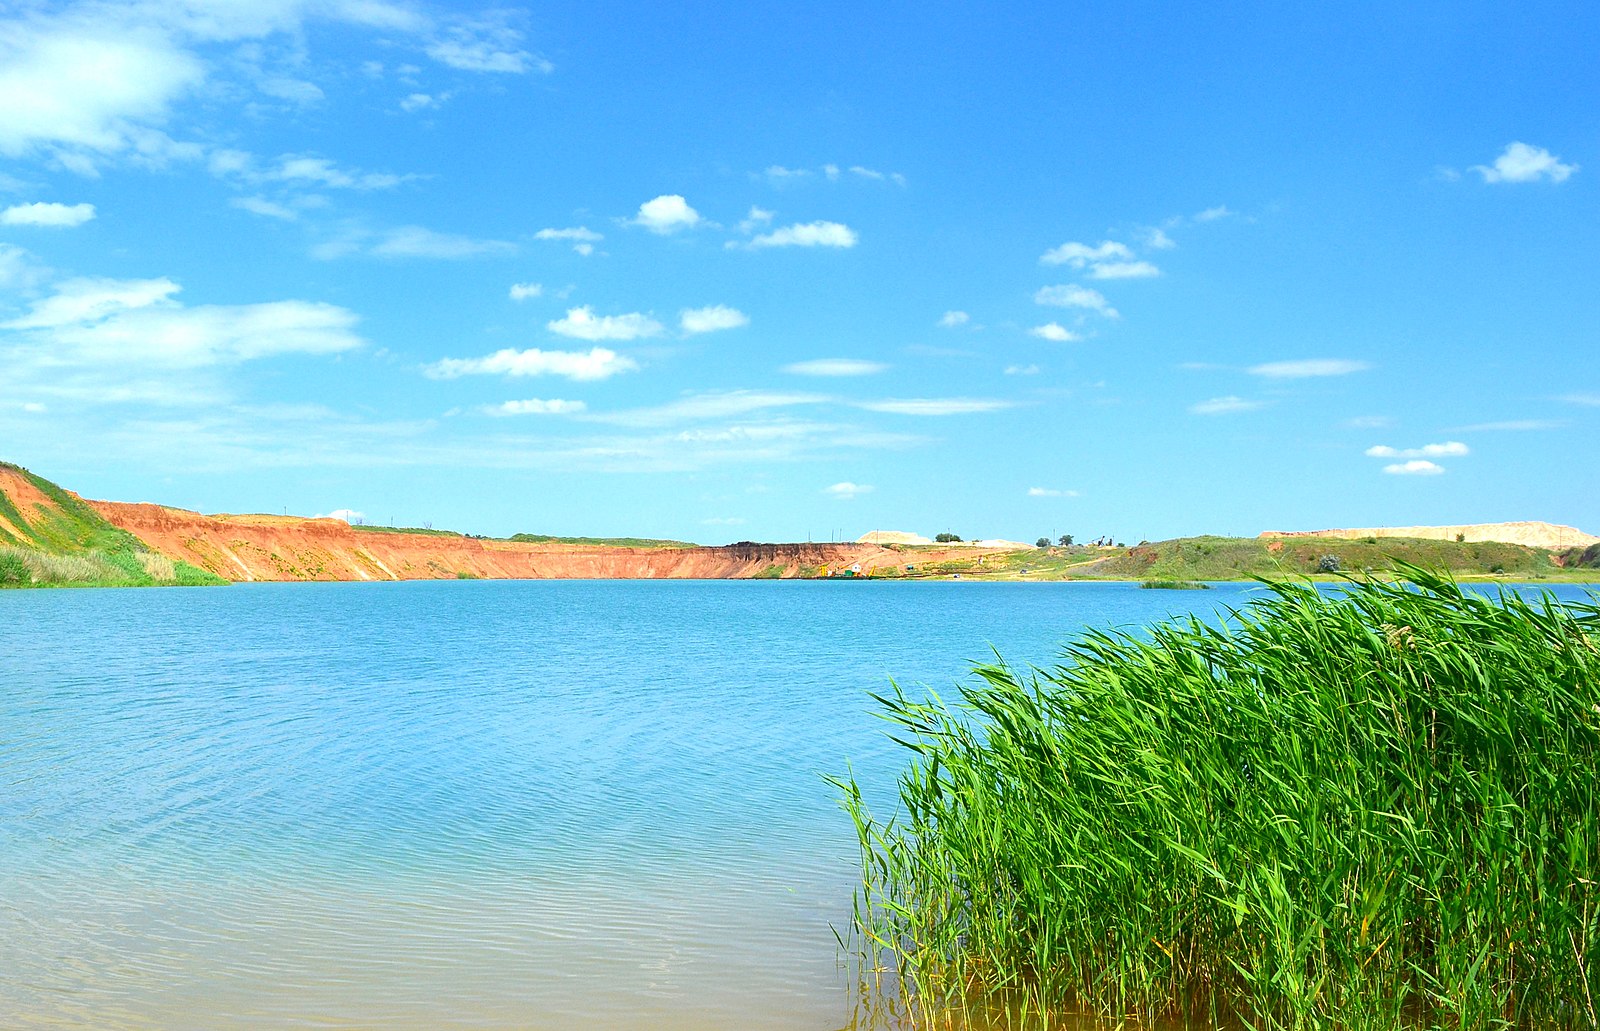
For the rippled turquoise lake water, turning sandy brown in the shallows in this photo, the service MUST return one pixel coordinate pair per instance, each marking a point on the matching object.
(534, 804)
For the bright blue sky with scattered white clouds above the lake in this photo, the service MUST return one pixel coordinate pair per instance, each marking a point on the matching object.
(804, 271)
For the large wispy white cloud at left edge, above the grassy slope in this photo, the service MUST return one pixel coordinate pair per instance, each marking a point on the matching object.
(140, 324)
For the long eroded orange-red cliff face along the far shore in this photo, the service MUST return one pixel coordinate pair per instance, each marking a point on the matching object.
(247, 548)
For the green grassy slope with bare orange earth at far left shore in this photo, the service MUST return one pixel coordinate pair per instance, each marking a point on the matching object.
(50, 539)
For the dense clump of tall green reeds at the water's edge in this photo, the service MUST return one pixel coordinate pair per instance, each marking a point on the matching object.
(1372, 809)
